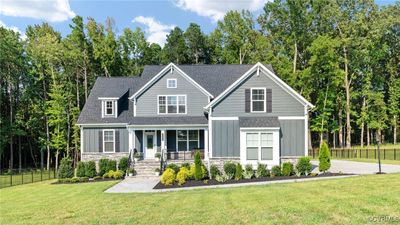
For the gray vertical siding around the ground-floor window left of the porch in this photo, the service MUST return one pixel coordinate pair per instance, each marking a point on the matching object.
(91, 139)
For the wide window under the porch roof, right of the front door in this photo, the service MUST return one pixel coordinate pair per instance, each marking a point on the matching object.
(187, 139)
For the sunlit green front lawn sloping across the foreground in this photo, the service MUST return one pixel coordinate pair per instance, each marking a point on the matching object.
(341, 201)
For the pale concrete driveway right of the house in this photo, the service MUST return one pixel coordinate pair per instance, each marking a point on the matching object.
(357, 167)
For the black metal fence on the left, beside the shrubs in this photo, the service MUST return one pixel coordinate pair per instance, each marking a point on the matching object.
(14, 177)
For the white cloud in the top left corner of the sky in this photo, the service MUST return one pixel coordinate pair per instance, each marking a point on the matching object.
(49, 10)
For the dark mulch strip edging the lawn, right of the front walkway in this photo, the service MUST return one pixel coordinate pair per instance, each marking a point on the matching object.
(196, 183)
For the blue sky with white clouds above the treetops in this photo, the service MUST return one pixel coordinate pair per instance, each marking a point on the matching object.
(155, 17)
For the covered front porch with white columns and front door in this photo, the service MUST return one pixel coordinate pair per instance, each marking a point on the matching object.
(174, 142)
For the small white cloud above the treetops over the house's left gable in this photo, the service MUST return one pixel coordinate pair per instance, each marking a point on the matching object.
(155, 30)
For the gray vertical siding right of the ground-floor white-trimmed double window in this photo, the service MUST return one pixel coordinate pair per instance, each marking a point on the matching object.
(292, 137)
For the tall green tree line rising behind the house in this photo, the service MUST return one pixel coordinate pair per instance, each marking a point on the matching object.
(343, 56)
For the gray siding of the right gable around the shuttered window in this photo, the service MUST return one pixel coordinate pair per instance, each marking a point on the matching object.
(283, 104)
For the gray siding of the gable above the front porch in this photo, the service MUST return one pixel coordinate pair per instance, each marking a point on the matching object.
(147, 101)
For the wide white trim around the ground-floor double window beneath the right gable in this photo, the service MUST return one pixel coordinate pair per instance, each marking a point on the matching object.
(275, 147)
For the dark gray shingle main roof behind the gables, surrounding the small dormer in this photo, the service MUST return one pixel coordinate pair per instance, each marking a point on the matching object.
(214, 78)
